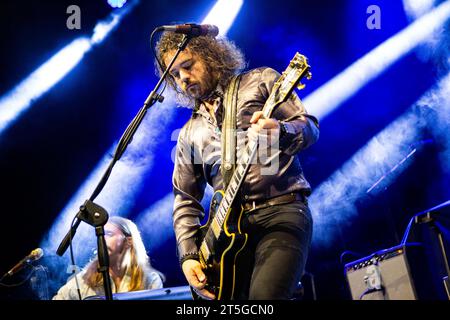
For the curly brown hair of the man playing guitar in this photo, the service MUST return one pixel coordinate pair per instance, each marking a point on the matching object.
(223, 59)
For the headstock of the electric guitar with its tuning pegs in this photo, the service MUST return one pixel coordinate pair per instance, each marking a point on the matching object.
(297, 69)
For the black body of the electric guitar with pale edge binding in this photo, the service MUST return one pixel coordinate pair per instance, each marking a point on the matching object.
(220, 266)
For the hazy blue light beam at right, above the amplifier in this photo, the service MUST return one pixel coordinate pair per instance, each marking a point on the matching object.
(374, 166)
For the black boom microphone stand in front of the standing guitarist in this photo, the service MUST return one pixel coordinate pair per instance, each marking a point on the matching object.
(94, 214)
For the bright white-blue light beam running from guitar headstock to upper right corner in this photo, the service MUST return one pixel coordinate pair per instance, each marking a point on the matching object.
(332, 94)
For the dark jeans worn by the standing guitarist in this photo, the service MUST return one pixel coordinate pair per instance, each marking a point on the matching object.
(273, 261)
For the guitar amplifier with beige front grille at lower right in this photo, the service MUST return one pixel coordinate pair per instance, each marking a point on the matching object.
(397, 273)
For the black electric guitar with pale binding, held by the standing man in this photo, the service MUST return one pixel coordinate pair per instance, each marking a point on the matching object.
(220, 240)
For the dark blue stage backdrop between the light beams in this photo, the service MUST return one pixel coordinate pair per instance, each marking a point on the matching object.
(47, 154)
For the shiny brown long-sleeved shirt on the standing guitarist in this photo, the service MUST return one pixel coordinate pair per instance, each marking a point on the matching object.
(198, 154)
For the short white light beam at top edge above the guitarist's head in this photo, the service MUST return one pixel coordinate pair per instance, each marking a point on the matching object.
(223, 15)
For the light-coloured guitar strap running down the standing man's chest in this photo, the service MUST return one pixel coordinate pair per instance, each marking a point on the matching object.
(229, 131)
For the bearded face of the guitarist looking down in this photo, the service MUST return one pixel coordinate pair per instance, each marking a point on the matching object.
(191, 74)
